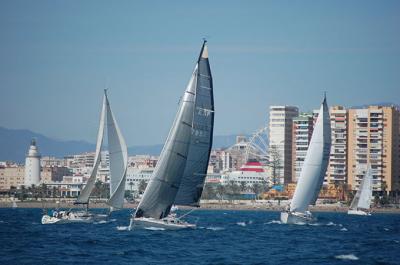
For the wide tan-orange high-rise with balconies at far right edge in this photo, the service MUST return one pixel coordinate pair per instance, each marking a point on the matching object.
(373, 139)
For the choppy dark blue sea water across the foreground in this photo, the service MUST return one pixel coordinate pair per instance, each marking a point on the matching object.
(222, 237)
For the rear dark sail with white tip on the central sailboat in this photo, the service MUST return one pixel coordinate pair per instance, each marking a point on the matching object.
(191, 187)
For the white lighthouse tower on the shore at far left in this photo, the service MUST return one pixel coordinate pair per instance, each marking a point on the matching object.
(32, 166)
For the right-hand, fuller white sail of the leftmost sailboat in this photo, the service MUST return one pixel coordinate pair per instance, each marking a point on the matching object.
(118, 154)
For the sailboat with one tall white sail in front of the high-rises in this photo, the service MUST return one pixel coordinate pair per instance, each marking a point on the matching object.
(313, 171)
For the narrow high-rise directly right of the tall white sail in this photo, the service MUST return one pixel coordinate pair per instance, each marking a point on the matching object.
(337, 168)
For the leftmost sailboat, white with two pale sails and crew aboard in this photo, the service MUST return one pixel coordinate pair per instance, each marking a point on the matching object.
(118, 165)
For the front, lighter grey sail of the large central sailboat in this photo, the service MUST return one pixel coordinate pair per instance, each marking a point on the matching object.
(163, 187)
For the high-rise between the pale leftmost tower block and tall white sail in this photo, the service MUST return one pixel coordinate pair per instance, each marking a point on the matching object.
(302, 132)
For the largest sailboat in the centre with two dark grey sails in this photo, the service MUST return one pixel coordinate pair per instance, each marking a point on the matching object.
(179, 176)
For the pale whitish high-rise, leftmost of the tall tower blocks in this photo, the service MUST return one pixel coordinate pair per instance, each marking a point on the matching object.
(280, 142)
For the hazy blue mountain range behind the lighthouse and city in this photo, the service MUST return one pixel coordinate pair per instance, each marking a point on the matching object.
(14, 144)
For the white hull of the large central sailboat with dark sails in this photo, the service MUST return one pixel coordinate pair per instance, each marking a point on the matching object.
(165, 223)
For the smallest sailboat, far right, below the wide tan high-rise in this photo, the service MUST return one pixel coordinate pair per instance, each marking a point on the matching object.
(362, 201)
